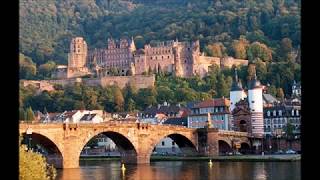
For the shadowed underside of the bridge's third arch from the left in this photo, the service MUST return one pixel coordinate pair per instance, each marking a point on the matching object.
(186, 145)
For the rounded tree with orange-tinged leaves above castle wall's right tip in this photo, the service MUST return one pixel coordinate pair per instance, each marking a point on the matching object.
(259, 50)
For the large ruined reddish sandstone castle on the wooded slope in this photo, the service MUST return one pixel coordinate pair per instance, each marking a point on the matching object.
(182, 59)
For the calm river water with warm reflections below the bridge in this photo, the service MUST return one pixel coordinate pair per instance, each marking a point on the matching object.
(163, 170)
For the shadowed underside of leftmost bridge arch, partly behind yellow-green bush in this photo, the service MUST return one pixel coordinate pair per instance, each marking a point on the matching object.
(53, 153)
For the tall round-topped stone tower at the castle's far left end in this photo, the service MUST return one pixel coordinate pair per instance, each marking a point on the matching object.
(78, 53)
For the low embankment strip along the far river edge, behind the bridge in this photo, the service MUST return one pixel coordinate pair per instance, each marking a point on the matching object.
(247, 158)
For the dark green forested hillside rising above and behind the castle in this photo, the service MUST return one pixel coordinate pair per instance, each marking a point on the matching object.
(46, 26)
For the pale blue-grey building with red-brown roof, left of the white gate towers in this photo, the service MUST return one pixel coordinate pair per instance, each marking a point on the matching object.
(217, 110)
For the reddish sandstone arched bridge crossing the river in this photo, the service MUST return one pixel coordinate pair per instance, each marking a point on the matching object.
(135, 141)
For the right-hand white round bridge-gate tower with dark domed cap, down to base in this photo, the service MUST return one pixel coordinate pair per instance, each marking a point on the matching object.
(256, 106)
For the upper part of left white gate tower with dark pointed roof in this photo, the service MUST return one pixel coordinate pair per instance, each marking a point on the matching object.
(236, 93)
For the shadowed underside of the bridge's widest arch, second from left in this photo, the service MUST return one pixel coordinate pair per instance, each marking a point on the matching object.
(124, 144)
